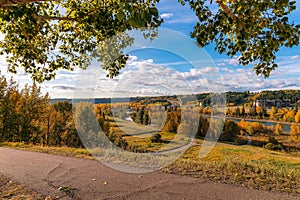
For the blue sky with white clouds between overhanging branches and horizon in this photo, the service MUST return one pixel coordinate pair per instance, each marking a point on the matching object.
(171, 65)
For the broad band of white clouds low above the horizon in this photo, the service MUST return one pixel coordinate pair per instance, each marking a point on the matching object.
(146, 78)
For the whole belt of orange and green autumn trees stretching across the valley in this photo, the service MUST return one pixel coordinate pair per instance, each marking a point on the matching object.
(26, 115)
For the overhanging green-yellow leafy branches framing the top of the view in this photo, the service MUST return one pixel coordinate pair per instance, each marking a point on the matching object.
(45, 36)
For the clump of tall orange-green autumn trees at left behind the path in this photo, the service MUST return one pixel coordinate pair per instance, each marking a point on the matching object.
(27, 116)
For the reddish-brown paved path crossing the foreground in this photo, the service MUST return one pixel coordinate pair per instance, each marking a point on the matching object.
(92, 180)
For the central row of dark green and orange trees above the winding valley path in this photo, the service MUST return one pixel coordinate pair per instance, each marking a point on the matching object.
(188, 121)
